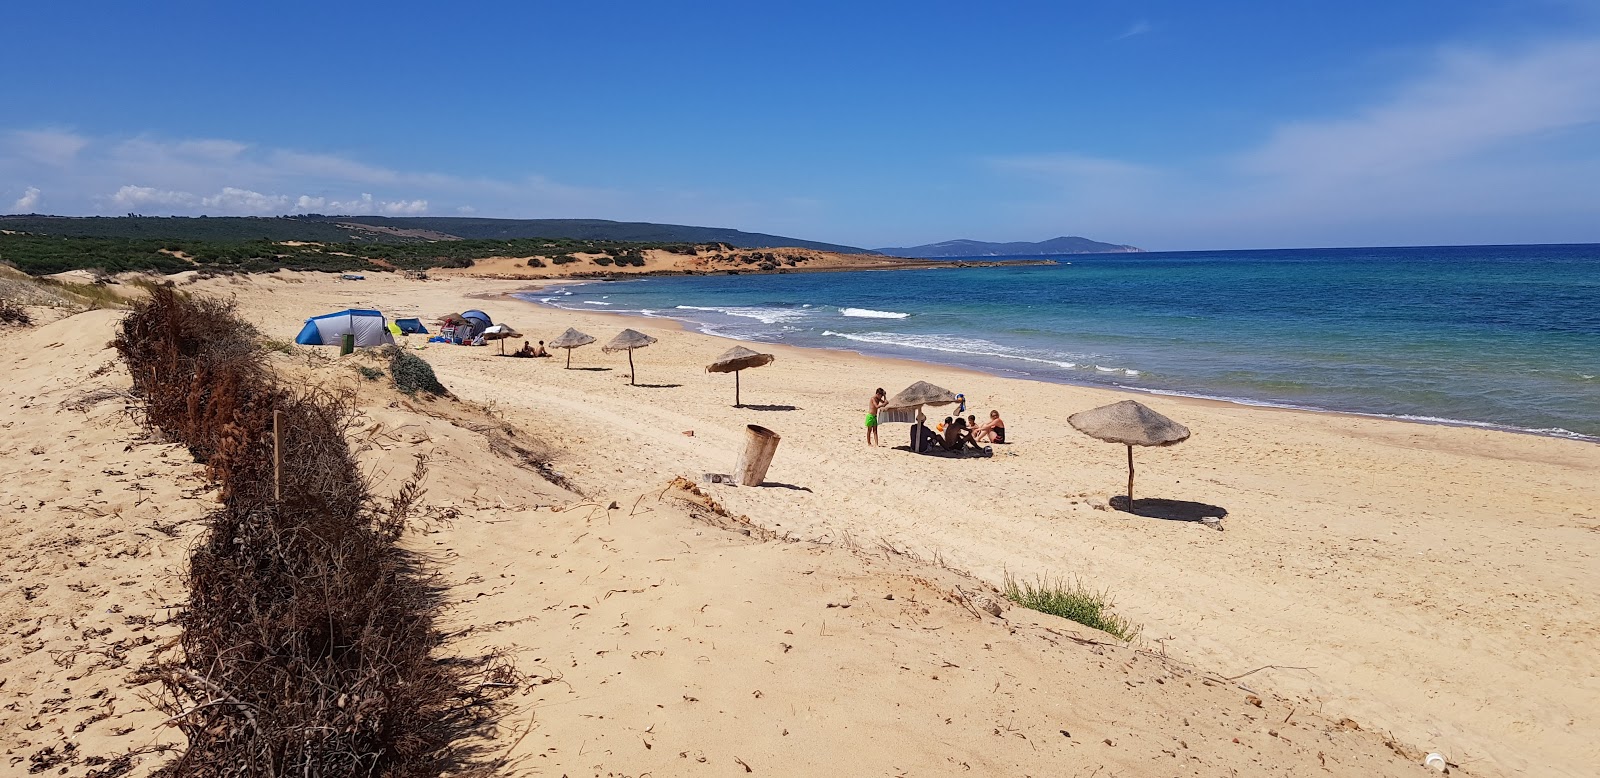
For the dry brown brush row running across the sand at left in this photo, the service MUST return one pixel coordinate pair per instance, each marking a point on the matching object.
(308, 633)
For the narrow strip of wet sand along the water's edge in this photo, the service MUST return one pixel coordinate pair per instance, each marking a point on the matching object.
(1178, 396)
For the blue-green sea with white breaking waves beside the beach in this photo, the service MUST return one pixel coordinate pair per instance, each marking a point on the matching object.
(1486, 337)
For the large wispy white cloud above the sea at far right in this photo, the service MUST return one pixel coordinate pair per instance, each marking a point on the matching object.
(1481, 148)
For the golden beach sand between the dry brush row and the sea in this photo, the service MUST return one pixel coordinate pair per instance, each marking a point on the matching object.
(1382, 588)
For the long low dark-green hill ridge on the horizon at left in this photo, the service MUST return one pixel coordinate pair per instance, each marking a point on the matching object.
(385, 230)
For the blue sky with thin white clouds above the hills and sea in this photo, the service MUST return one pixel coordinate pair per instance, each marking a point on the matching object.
(1166, 126)
